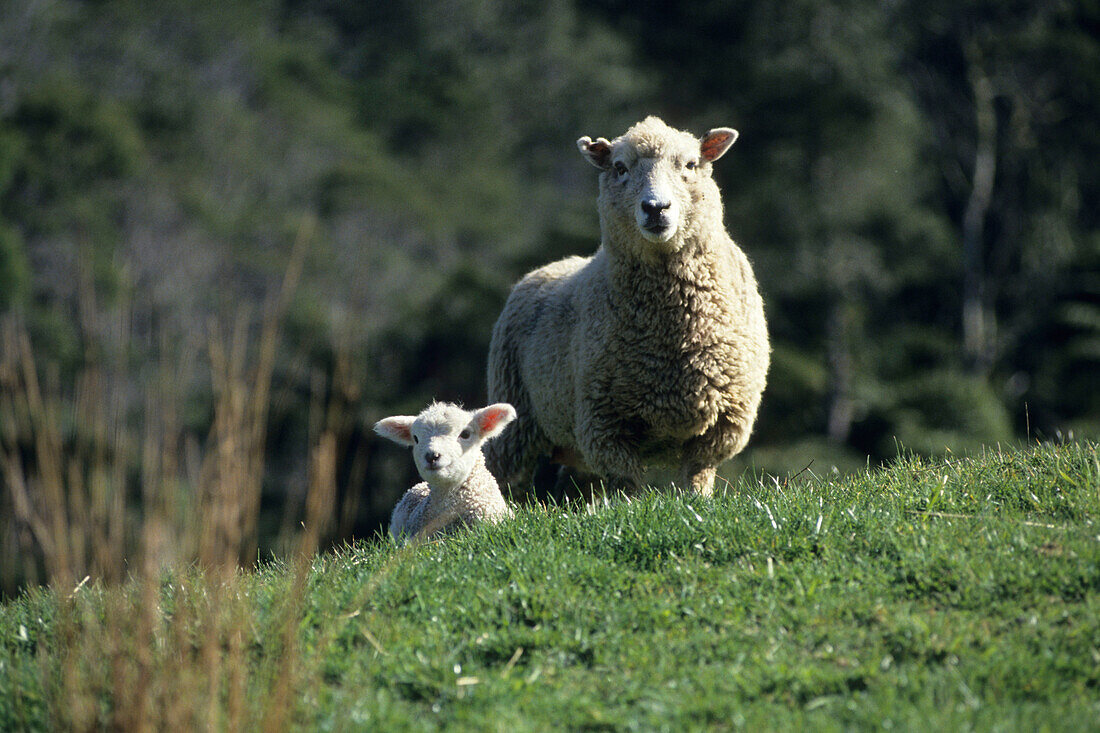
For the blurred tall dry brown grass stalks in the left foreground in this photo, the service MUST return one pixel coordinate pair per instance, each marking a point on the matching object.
(141, 532)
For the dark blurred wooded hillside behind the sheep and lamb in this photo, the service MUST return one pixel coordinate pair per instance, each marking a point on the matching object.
(916, 183)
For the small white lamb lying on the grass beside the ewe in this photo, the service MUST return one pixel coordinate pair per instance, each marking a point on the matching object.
(447, 447)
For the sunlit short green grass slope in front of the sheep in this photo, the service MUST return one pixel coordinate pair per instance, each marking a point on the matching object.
(951, 595)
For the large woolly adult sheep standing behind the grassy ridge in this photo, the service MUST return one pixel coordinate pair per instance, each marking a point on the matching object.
(653, 352)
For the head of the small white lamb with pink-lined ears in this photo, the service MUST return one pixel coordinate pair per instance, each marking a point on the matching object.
(446, 440)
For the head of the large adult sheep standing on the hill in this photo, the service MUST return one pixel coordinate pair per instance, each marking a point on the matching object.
(657, 181)
